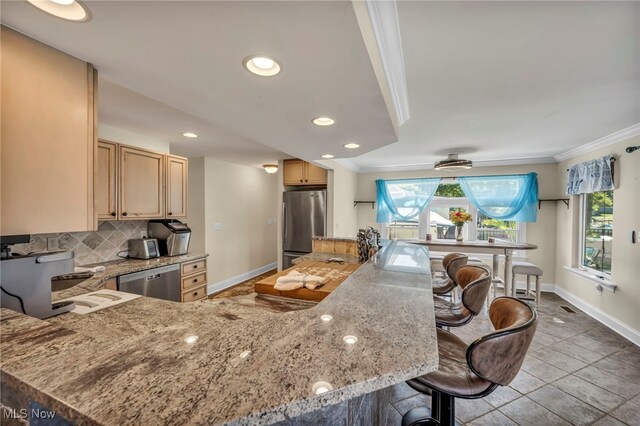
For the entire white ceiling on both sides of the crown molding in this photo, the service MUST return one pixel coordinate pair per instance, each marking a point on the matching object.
(501, 82)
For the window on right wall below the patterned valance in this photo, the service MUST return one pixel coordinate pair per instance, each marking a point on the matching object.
(597, 231)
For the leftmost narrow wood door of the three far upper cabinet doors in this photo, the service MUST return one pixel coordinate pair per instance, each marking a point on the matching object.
(106, 172)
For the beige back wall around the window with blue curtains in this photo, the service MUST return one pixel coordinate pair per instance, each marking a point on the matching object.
(541, 232)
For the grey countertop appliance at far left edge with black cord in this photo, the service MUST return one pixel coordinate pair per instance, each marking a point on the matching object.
(25, 283)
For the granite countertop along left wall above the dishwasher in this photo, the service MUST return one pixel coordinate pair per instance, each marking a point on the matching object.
(116, 268)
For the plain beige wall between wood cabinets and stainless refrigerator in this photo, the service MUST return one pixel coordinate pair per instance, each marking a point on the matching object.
(243, 200)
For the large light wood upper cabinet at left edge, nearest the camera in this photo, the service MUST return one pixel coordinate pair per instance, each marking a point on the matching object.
(48, 136)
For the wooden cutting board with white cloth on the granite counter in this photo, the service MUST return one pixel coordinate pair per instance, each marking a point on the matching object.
(334, 271)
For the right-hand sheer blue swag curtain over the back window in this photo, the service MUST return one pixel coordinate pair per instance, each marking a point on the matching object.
(504, 197)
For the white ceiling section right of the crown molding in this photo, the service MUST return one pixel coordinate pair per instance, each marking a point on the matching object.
(513, 81)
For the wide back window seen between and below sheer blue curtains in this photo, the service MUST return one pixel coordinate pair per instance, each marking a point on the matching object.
(435, 220)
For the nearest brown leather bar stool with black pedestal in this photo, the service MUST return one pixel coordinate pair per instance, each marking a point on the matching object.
(474, 371)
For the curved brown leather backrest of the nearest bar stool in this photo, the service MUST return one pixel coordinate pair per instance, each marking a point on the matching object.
(498, 356)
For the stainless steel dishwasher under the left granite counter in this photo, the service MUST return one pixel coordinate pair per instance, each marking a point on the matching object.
(161, 283)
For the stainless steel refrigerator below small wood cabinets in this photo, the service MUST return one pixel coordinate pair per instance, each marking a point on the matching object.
(305, 216)
